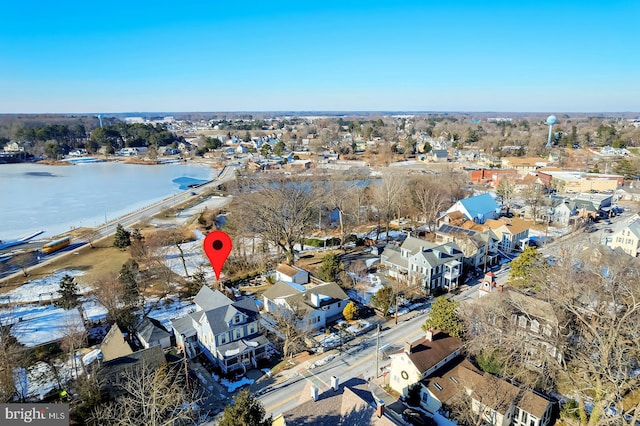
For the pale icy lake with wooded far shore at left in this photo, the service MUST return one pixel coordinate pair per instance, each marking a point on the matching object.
(36, 197)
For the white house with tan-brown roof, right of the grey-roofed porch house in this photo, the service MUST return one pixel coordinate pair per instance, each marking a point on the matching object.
(317, 305)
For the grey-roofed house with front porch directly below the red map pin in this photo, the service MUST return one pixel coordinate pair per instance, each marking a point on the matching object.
(227, 332)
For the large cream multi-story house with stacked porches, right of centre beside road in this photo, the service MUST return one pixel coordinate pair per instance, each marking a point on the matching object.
(431, 265)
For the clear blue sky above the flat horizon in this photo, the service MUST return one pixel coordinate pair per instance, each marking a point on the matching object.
(210, 55)
